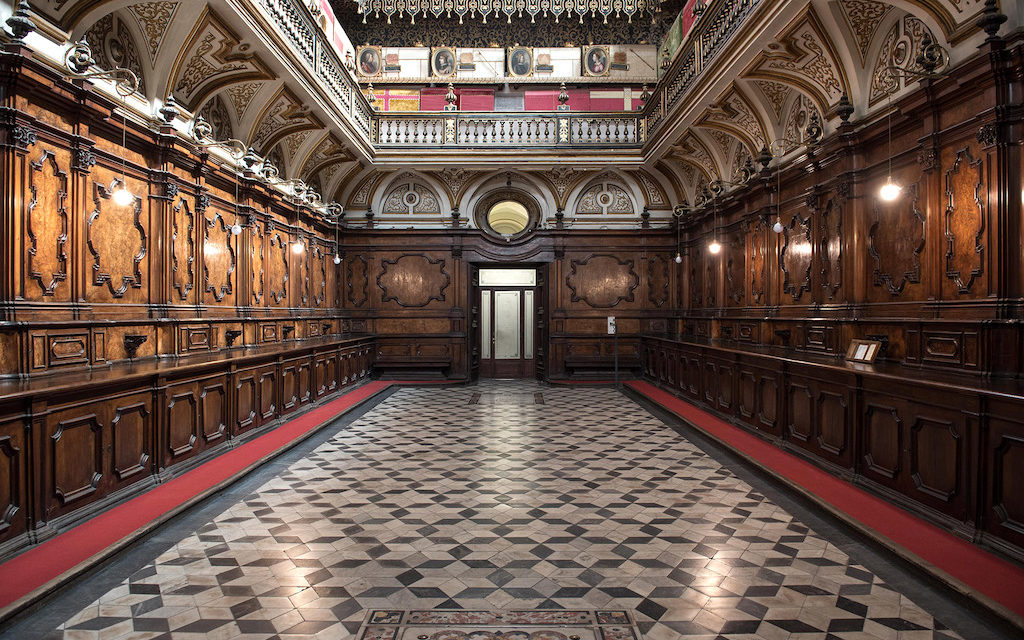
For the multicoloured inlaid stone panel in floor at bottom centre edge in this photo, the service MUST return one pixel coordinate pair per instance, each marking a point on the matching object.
(528, 625)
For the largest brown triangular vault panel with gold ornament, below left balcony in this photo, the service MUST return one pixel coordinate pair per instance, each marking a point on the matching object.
(215, 58)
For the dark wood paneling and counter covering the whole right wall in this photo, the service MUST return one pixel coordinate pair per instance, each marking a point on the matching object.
(937, 275)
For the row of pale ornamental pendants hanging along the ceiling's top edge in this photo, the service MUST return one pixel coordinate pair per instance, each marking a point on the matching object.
(507, 9)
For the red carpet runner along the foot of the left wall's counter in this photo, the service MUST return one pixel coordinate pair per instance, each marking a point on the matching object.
(40, 566)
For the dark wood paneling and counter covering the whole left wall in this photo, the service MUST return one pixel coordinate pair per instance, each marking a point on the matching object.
(229, 334)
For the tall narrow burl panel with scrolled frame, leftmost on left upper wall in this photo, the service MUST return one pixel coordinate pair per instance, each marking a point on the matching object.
(47, 226)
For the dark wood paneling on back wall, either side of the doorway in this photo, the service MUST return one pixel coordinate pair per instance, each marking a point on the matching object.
(411, 290)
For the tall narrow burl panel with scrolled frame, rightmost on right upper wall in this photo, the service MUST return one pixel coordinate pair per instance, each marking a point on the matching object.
(965, 222)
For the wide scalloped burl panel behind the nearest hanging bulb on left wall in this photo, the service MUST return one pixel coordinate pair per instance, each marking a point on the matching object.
(117, 242)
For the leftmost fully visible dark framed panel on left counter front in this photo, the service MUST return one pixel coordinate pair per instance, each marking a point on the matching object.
(77, 455)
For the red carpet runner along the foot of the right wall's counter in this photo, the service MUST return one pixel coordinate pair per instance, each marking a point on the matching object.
(968, 564)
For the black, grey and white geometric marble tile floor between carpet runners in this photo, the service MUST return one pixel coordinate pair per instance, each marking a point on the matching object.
(498, 497)
